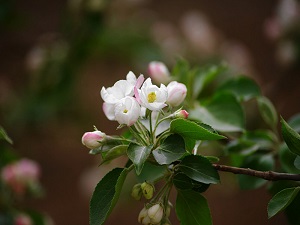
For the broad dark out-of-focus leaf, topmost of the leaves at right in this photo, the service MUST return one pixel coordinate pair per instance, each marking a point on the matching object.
(244, 88)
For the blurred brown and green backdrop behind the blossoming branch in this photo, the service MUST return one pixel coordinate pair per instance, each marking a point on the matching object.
(56, 55)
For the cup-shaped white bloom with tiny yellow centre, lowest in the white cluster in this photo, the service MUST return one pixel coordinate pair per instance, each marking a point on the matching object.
(127, 111)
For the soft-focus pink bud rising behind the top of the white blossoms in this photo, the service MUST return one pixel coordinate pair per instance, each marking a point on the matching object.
(159, 72)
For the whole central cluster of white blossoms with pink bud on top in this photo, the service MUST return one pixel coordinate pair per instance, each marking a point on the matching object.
(127, 99)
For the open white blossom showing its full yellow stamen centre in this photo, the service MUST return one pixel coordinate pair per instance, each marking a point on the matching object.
(151, 96)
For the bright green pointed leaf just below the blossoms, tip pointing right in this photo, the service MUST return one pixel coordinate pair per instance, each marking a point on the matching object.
(189, 129)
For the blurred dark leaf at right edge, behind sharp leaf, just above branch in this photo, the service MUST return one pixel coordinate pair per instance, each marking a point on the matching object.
(287, 159)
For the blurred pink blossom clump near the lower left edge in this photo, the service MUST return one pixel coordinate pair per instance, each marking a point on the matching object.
(21, 176)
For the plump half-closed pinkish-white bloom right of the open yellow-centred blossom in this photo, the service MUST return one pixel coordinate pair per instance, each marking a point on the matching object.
(176, 93)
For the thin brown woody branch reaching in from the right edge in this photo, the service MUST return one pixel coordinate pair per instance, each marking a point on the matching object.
(267, 175)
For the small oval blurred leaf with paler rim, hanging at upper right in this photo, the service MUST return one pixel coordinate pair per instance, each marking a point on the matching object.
(267, 111)
